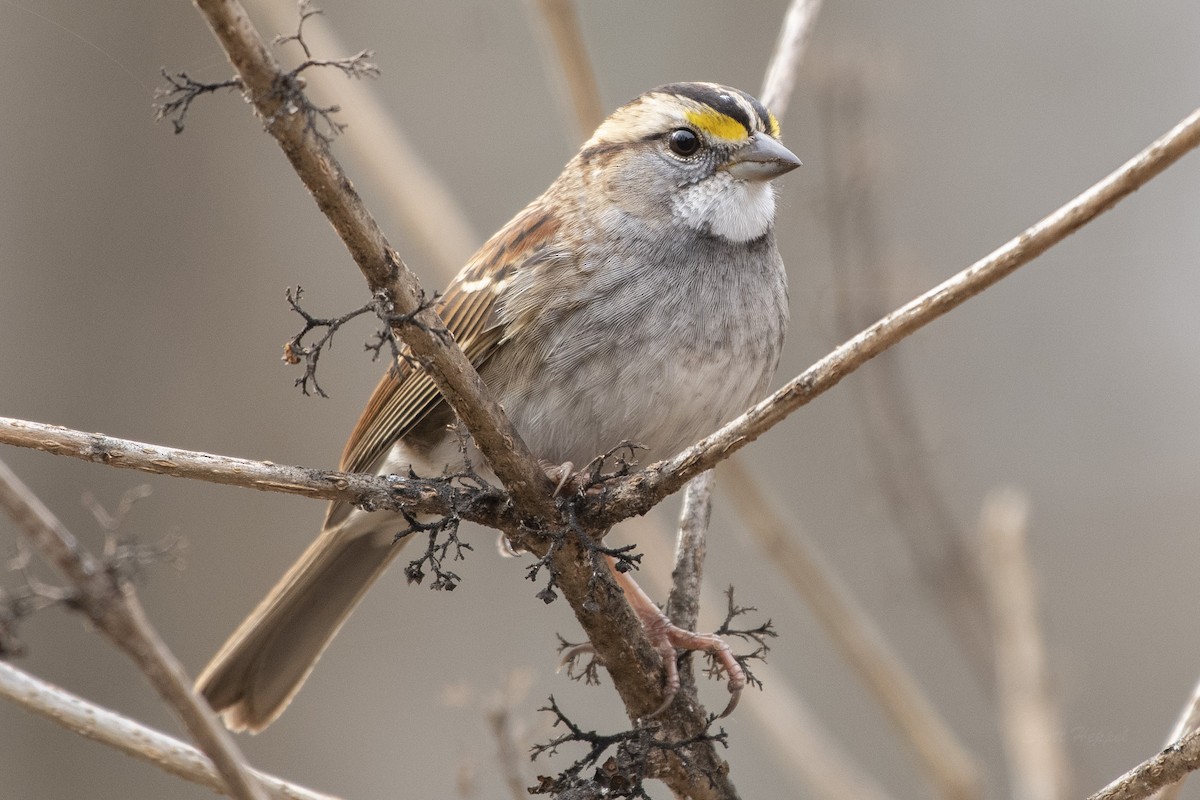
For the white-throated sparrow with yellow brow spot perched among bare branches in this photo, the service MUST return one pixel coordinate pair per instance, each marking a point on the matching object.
(641, 299)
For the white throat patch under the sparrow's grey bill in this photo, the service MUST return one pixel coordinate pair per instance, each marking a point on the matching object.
(735, 210)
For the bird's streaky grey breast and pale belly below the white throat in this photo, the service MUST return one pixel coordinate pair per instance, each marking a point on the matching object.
(661, 356)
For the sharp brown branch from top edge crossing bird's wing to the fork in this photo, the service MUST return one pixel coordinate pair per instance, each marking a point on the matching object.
(280, 101)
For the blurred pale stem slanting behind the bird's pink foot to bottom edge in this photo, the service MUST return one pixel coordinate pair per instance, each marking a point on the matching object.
(802, 747)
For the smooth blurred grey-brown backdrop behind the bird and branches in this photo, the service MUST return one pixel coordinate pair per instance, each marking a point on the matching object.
(142, 280)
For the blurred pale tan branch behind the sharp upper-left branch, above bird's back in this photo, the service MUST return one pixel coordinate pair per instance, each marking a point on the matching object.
(417, 196)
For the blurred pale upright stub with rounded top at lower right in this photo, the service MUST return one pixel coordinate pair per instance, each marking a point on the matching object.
(1031, 721)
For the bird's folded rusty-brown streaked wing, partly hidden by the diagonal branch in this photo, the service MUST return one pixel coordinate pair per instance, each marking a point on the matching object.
(469, 309)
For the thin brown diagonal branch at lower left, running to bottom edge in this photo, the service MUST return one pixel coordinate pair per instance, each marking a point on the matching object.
(111, 604)
